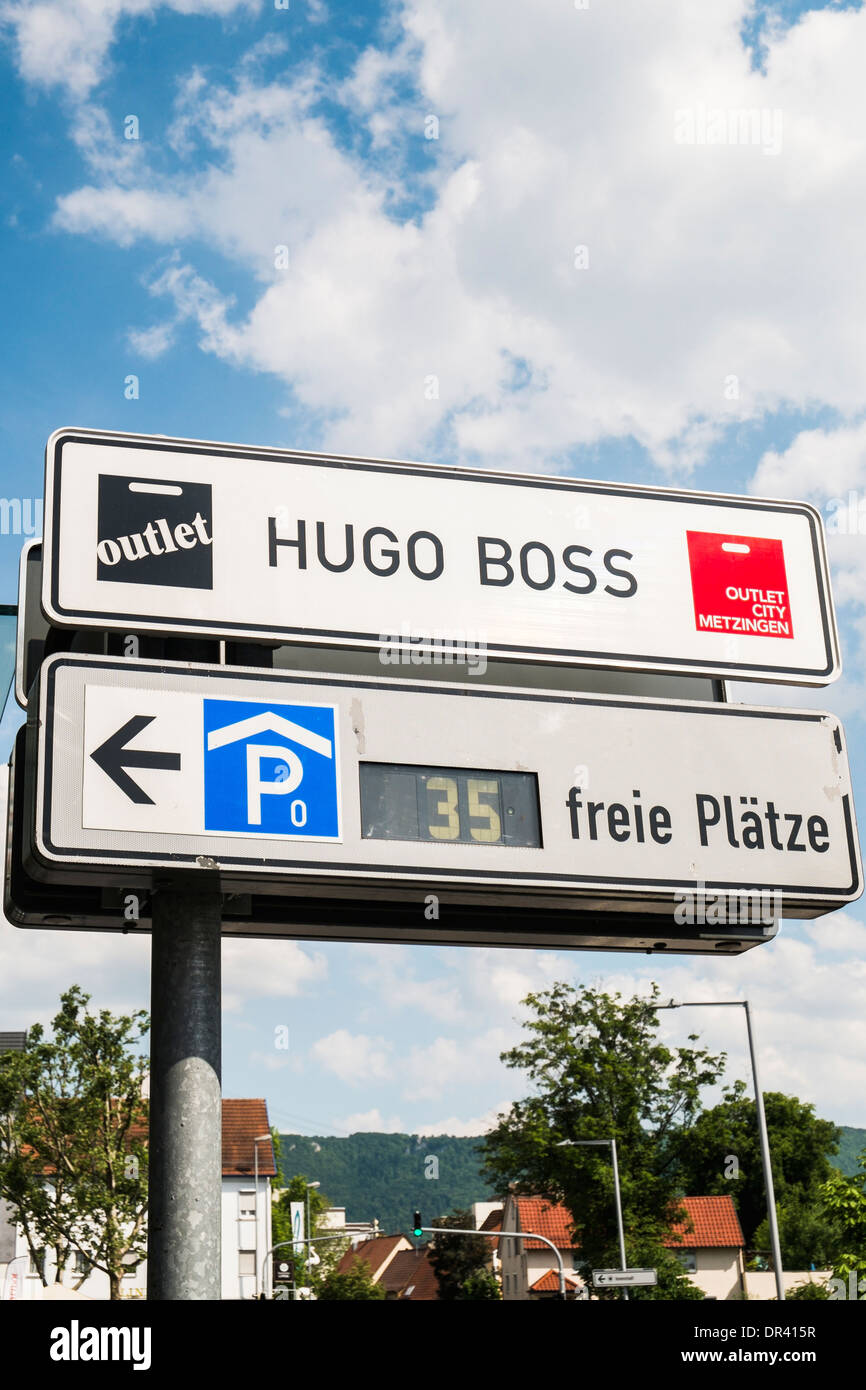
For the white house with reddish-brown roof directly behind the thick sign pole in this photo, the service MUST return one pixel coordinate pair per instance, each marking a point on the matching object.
(245, 1220)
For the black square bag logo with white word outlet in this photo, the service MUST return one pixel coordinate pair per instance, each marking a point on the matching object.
(154, 532)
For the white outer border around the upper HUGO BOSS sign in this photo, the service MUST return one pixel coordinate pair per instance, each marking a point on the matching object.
(81, 616)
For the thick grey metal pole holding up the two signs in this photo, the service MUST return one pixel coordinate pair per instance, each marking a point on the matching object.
(186, 1159)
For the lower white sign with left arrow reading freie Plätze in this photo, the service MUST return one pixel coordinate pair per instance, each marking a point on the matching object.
(293, 779)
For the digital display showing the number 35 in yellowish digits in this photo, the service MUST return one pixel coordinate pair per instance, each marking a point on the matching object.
(454, 806)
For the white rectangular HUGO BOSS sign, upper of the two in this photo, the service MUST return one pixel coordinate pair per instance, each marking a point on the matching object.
(186, 537)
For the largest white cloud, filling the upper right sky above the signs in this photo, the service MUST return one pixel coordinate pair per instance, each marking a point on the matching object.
(707, 262)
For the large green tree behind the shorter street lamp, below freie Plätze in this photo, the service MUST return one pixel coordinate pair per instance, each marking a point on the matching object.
(601, 1072)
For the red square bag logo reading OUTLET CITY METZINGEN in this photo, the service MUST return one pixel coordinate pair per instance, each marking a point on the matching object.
(739, 584)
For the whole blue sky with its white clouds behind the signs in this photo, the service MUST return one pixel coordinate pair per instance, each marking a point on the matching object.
(714, 340)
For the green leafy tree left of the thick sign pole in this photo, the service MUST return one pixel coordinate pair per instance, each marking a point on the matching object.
(73, 1149)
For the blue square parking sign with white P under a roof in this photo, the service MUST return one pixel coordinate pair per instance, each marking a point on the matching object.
(272, 769)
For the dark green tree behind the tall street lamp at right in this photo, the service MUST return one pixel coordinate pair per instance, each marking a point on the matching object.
(722, 1154)
